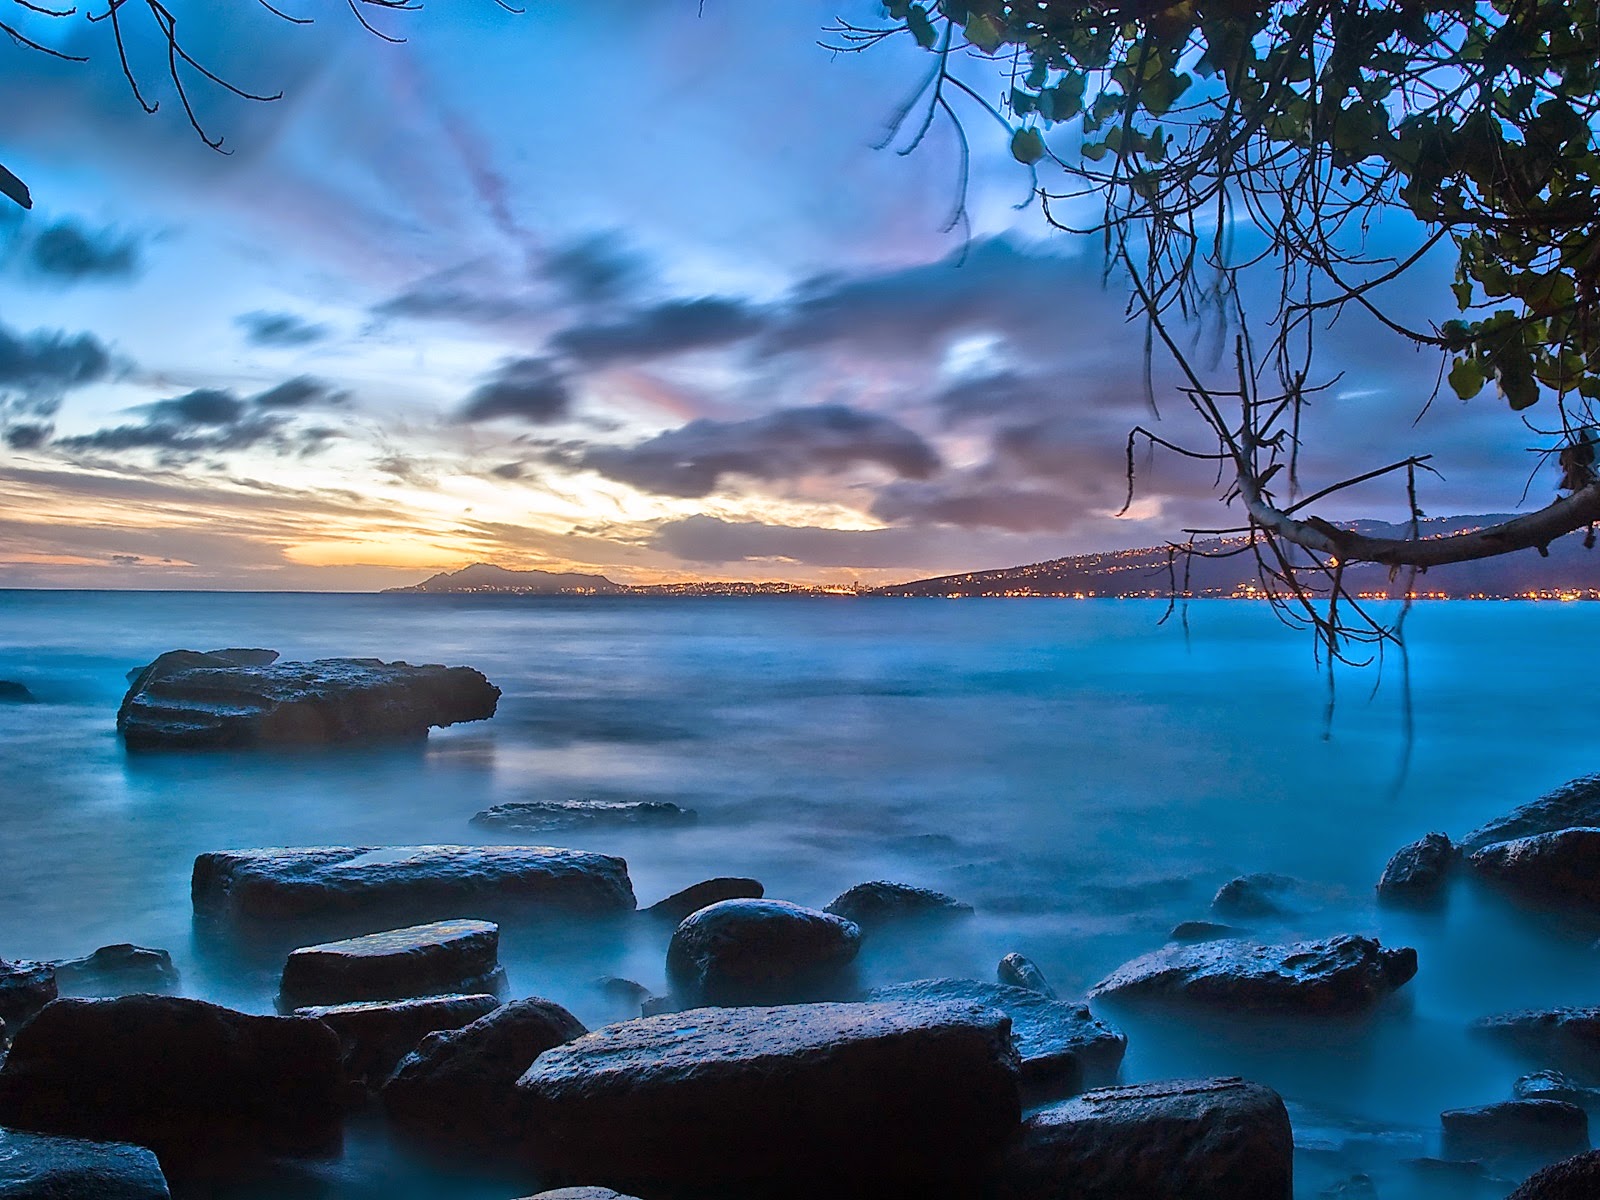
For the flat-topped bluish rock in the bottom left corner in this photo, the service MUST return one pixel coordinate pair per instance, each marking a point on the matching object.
(41, 1167)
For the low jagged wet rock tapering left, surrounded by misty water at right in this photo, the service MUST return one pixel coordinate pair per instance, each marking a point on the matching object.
(1335, 975)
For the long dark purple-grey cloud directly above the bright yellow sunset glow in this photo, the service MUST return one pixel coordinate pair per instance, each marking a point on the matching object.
(793, 442)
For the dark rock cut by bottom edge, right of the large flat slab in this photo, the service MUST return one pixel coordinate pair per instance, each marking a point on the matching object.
(1196, 1140)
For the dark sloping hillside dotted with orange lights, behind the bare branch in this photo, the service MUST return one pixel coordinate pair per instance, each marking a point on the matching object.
(1569, 570)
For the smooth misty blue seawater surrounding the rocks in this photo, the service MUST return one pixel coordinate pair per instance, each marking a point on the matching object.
(1081, 775)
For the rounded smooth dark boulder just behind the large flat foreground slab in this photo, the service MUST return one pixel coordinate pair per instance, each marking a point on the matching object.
(761, 953)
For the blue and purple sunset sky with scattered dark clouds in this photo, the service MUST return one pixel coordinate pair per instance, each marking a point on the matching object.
(622, 287)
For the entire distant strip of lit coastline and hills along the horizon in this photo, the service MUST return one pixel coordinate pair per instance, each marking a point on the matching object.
(1569, 572)
